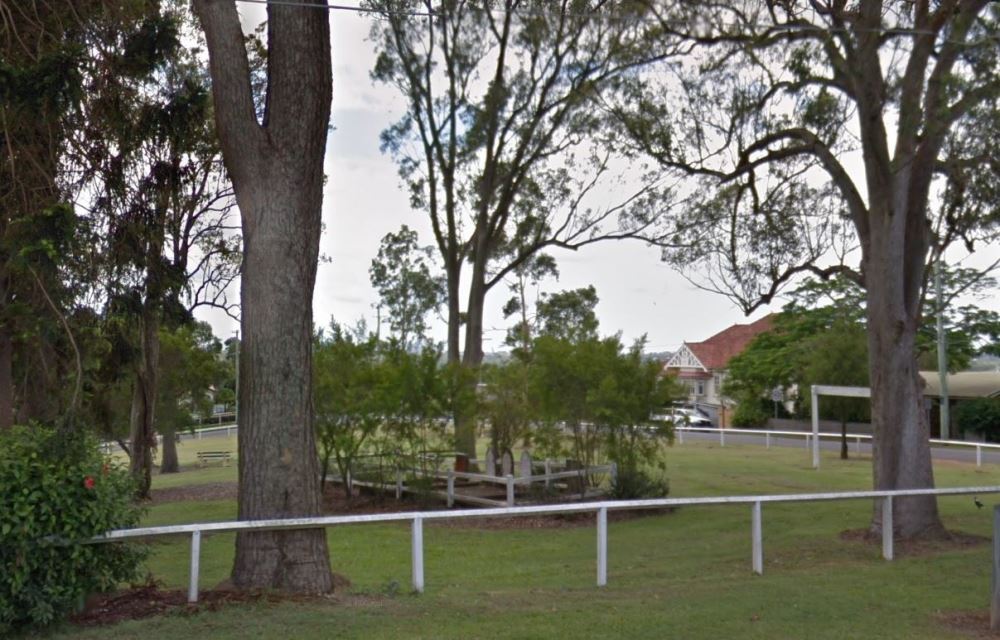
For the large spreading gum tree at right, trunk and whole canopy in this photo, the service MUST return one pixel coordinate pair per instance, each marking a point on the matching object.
(765, 116)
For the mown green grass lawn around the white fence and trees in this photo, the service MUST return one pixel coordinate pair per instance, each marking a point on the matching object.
(685, 574)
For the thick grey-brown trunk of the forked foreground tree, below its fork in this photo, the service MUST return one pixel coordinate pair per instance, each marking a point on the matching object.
(278, 463)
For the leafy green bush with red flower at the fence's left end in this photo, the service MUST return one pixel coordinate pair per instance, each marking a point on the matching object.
(56, 491)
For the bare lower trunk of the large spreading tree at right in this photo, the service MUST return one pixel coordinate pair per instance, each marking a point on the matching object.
(901, 457)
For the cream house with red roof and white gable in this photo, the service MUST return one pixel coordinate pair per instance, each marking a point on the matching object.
(702, 365)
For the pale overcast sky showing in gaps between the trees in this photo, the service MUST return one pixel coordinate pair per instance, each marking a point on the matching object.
(364, 201)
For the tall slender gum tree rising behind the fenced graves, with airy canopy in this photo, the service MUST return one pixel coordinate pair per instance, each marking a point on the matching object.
(501, 141)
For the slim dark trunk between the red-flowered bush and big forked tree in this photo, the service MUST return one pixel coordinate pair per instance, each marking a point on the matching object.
(142, 415)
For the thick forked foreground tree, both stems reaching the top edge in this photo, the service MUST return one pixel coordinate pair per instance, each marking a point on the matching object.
(276, 165)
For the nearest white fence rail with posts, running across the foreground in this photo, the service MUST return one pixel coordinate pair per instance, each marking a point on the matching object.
(417, 518)
